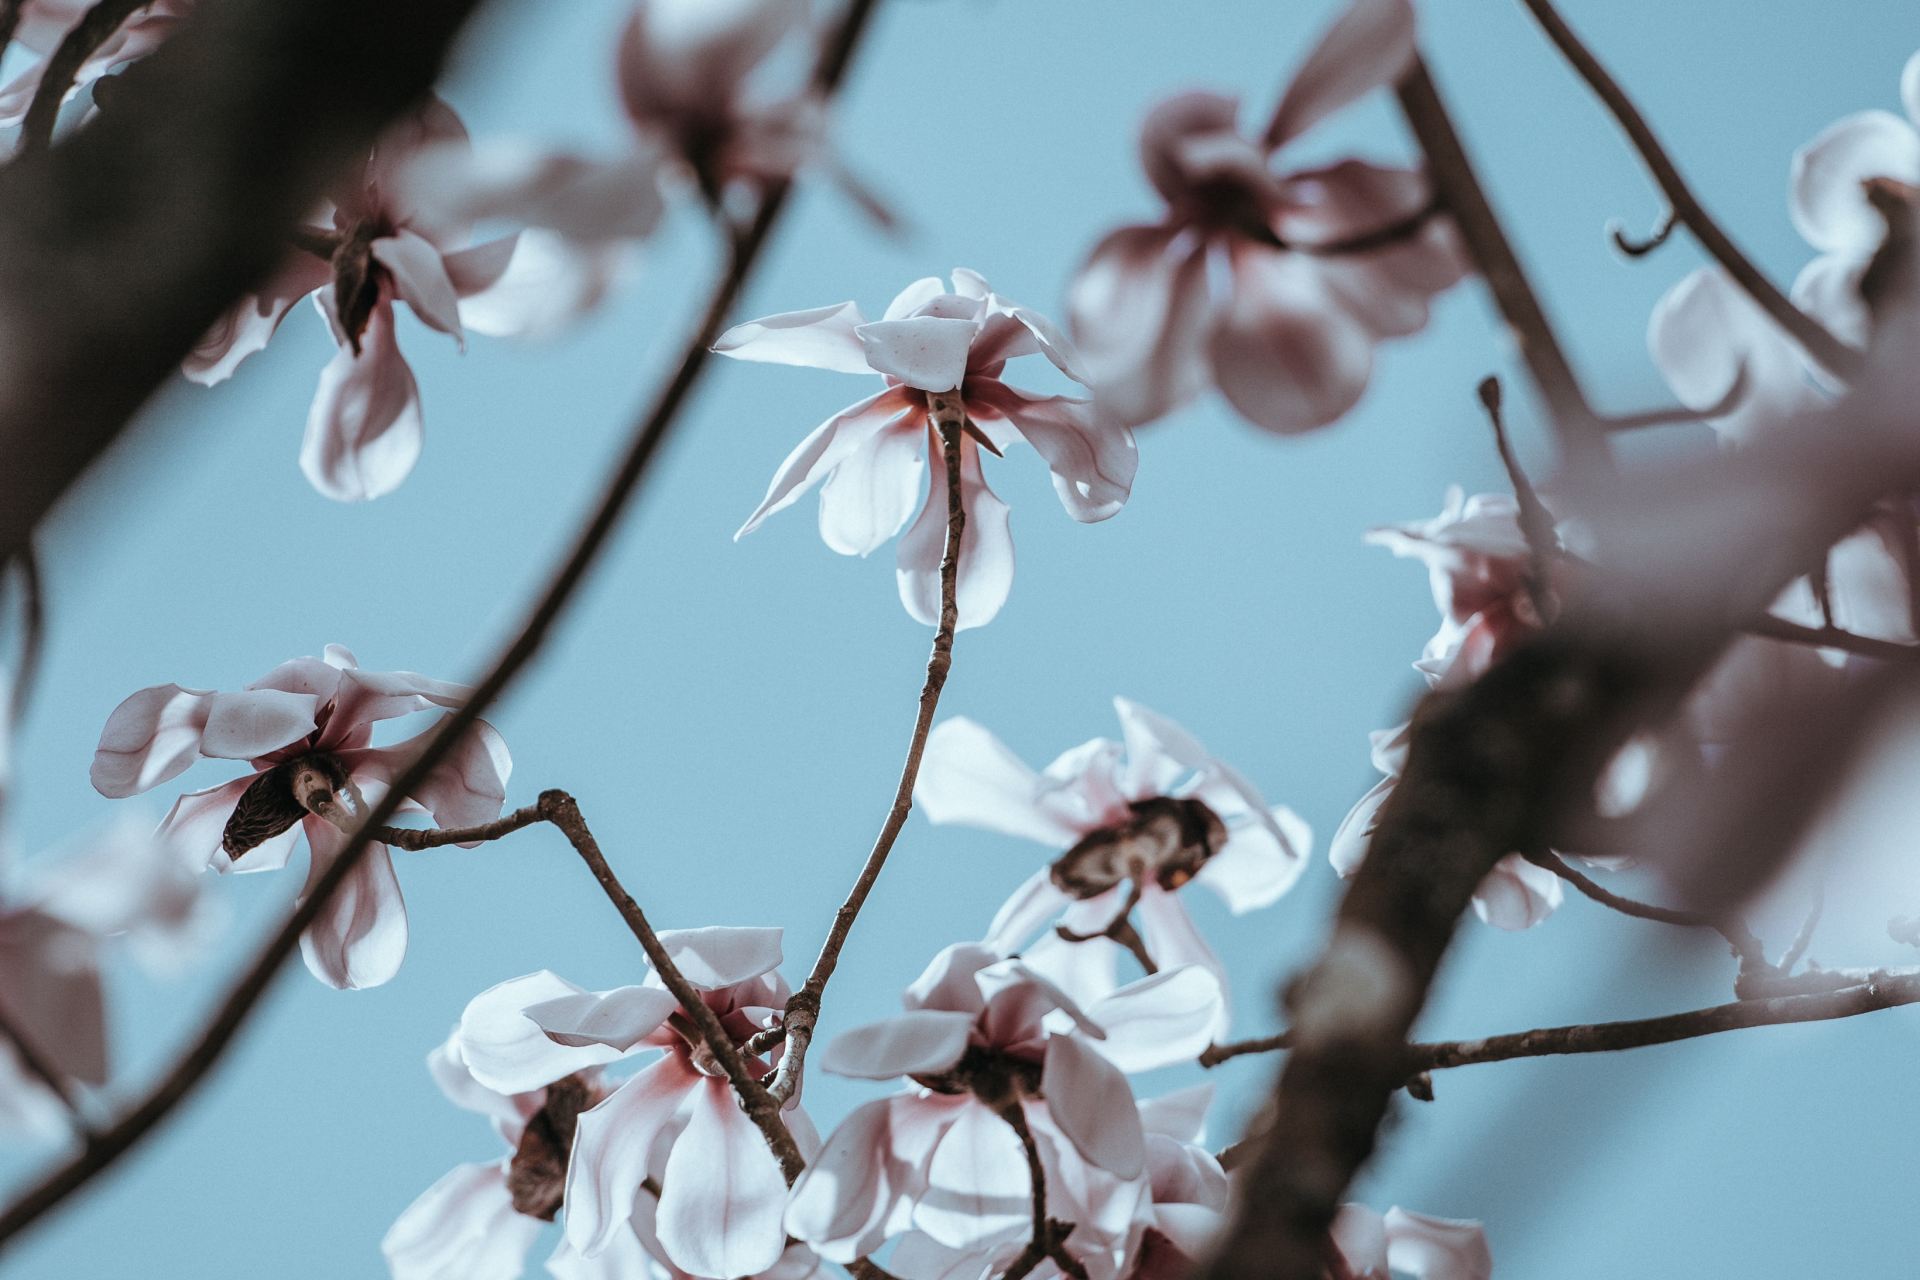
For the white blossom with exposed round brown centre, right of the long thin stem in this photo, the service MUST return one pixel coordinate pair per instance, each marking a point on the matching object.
(1141, 817)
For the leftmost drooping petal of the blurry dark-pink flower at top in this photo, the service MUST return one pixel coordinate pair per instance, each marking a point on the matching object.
(1140, 312)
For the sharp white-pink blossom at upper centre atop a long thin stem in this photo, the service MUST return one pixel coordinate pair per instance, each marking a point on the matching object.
(869, 458)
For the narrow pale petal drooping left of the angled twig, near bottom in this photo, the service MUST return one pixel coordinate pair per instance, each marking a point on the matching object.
(612, 1149)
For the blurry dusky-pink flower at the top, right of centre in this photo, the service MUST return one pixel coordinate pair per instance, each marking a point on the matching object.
(1243, 283)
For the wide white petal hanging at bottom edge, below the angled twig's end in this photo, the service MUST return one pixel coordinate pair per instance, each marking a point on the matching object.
(723, 1193)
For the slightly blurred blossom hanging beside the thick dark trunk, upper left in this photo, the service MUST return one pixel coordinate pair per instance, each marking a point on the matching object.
(366, 427)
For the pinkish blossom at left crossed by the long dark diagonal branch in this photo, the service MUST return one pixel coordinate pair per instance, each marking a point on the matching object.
(304, 730)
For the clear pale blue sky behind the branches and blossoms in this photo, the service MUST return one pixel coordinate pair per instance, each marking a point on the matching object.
(732, 717)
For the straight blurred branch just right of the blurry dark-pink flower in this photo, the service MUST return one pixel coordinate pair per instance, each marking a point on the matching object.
(1577, 427)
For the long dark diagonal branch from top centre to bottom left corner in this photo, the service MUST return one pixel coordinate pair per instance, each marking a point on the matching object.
(256, 980)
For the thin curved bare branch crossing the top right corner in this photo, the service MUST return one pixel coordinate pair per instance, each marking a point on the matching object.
(1687, 206)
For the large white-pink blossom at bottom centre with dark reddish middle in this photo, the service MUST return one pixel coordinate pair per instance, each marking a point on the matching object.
(944, 1168)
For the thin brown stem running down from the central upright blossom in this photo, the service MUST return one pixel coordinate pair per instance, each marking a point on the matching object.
(804, 1010)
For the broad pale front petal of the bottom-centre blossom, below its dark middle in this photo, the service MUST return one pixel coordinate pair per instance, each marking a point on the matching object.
(978, 1185)
